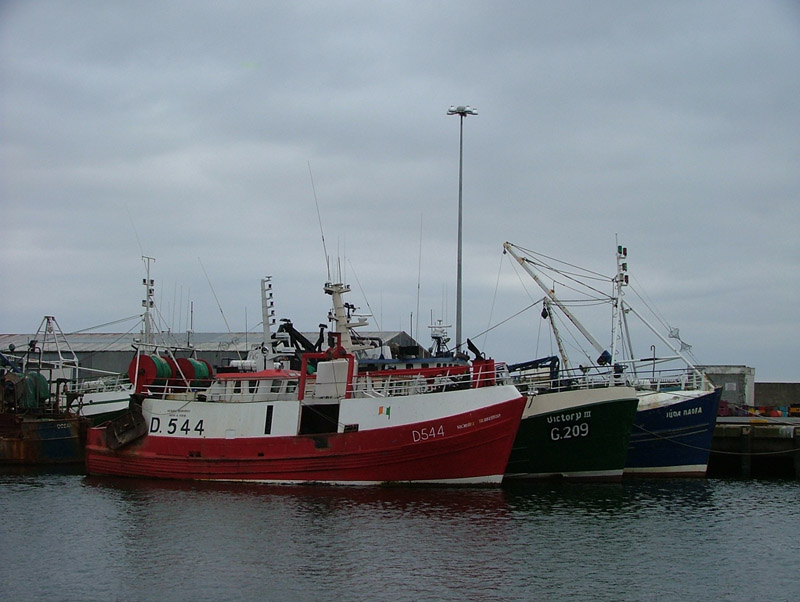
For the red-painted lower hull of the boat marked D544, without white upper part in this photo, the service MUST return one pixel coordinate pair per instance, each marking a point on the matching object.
(441, 450)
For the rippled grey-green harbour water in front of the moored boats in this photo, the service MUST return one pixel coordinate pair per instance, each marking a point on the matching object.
(65, 536)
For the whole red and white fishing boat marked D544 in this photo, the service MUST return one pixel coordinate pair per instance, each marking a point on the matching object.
(325, 423)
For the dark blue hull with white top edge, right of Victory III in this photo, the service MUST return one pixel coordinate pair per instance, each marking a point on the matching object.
(672, 435)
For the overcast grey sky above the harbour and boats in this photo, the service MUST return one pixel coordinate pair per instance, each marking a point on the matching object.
(192, 132)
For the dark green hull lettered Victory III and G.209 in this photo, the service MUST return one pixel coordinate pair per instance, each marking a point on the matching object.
(581, 434)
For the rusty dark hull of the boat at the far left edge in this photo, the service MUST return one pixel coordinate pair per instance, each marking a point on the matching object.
(35, 441)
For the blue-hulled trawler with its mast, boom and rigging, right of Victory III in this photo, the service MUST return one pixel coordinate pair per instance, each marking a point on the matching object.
(676, 406)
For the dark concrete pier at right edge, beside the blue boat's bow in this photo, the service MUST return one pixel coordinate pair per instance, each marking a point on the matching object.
(755, 447)
